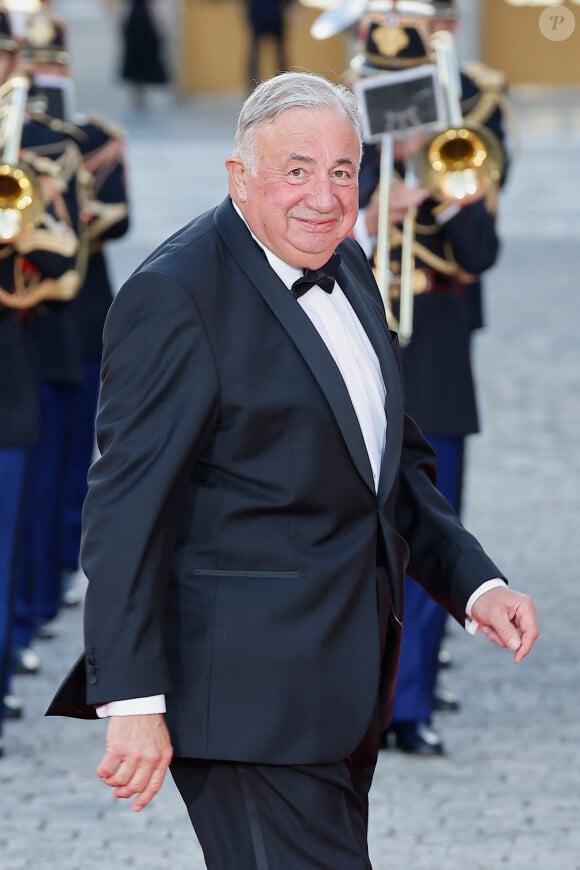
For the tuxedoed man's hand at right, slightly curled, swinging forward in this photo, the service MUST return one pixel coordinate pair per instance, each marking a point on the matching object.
(508, 618)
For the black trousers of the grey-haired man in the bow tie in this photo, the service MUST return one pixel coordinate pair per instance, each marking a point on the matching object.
(284, 817)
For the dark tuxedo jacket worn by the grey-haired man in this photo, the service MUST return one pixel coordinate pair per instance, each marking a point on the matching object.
(231, 525)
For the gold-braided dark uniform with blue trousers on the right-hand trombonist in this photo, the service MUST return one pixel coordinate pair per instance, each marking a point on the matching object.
(453, 245)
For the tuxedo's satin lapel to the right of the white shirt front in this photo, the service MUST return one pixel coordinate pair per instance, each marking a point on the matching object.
(375, 325)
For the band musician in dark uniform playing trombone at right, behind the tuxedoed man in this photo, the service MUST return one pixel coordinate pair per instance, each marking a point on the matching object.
(453, 246)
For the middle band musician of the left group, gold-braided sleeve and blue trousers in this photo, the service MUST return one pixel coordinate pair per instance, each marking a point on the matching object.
(40, 271)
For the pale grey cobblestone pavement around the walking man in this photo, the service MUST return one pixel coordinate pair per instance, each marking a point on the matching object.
(507, 795)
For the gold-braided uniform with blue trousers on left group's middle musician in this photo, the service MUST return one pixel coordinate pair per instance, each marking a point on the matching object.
(54, 250)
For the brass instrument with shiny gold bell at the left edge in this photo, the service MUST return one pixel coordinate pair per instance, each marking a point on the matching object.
(21, 205)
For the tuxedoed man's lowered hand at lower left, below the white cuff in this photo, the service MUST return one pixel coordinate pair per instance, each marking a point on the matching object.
(138, 753)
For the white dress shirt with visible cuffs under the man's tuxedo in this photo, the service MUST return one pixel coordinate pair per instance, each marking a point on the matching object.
(337, 324)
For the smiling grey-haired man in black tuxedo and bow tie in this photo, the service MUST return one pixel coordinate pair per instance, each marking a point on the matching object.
(259, 494)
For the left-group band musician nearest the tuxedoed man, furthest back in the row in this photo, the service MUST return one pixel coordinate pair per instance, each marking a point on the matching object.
(106, 214)
